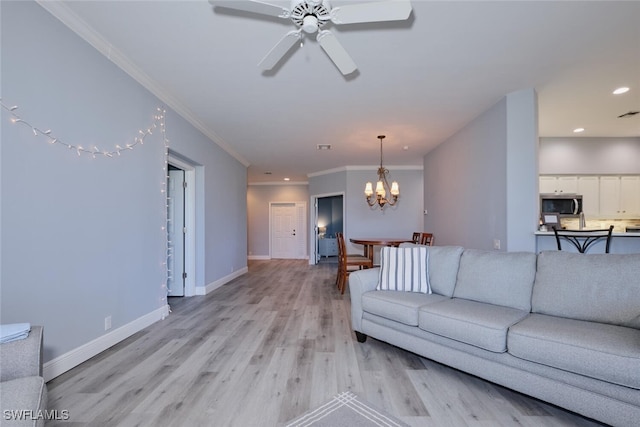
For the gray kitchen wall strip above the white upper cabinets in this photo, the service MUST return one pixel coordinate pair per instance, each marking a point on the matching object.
(590, 156)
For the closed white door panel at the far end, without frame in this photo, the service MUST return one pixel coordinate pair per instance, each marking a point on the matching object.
(283, 230)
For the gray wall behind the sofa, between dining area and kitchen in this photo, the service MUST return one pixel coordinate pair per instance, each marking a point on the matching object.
(481, 184)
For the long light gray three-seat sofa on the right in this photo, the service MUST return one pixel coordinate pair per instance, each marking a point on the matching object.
(558, 326)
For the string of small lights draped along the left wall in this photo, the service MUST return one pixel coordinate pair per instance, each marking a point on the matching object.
(94, 152)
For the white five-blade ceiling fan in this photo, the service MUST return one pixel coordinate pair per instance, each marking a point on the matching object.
(311, 15)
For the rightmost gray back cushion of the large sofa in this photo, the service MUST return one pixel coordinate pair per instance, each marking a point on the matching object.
(601, 288)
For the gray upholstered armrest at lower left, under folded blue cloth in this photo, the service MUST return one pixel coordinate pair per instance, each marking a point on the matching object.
(22, 358)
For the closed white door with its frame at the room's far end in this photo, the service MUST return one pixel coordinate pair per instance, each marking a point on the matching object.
(288, 230)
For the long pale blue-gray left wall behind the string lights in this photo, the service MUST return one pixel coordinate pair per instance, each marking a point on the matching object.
(82, 238)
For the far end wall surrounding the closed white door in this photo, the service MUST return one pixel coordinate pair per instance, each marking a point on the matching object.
(258, 199)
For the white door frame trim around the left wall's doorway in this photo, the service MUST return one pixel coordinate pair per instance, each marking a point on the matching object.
(189, 220)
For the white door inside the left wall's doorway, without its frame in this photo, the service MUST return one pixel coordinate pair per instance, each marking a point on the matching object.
(176, 230)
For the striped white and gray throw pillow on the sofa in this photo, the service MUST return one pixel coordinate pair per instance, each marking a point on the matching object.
(404, 269)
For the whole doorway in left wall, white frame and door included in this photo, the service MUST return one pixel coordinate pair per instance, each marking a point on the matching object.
(180, 227)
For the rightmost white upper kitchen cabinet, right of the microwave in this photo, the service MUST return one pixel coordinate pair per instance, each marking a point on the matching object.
(620, 196)
